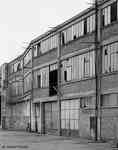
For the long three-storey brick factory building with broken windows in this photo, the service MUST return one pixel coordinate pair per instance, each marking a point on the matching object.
(68, 77)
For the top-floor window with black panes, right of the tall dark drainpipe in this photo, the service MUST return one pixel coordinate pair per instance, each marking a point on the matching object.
(110, 14)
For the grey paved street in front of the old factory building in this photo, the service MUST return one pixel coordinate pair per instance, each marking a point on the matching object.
(32, 141)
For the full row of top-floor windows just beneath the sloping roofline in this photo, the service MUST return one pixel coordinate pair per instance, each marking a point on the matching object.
(87, 25)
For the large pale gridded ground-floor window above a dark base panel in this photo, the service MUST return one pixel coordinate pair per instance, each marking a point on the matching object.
(70, 114)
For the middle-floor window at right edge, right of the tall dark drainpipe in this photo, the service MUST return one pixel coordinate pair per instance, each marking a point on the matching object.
(110, 57)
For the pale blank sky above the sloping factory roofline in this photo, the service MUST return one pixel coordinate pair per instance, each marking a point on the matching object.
(23, 20)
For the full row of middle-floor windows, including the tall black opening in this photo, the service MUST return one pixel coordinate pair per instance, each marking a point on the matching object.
(75, 68)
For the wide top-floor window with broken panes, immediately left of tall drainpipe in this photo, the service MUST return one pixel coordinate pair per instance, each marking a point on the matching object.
(79, 29)
